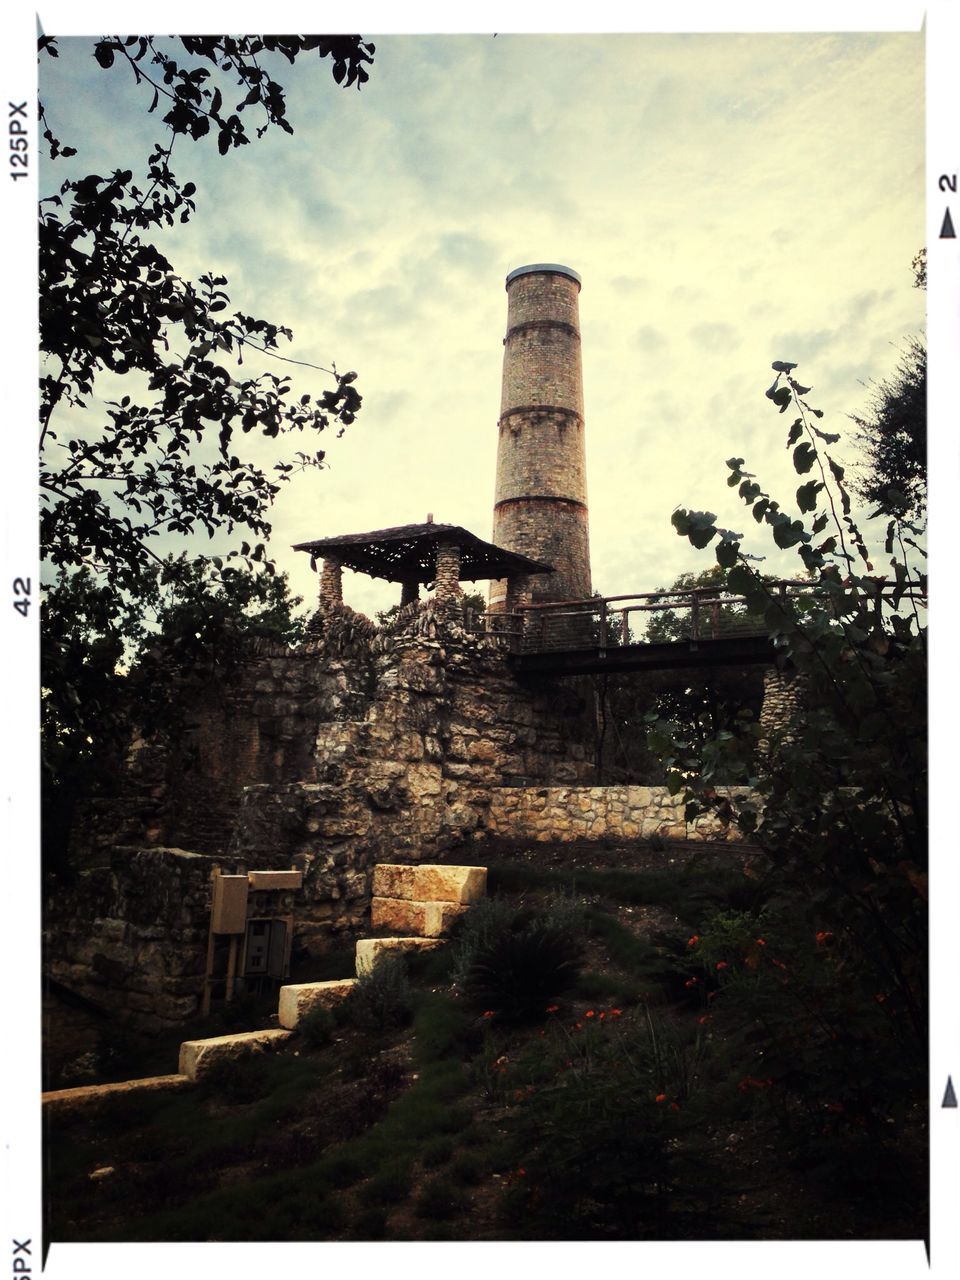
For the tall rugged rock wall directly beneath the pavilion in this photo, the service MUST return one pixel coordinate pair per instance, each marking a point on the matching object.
(364, 746)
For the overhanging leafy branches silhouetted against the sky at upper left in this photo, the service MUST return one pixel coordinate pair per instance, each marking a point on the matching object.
(163, 460)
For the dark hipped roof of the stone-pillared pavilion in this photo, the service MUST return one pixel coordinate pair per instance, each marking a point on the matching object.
(409, 554)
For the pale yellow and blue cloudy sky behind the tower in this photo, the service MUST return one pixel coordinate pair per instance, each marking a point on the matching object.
(729, 200)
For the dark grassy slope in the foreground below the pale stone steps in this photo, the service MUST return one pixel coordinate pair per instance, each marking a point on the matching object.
(441, 1156)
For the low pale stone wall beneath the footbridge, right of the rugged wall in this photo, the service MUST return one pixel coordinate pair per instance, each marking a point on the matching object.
(595, 813)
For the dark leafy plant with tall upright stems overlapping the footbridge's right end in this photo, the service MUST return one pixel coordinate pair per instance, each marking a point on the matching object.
(843, 803)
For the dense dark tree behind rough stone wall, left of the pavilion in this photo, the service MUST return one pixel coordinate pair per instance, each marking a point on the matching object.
(107, 665)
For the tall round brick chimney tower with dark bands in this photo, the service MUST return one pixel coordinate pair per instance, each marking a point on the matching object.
(541, 499)
